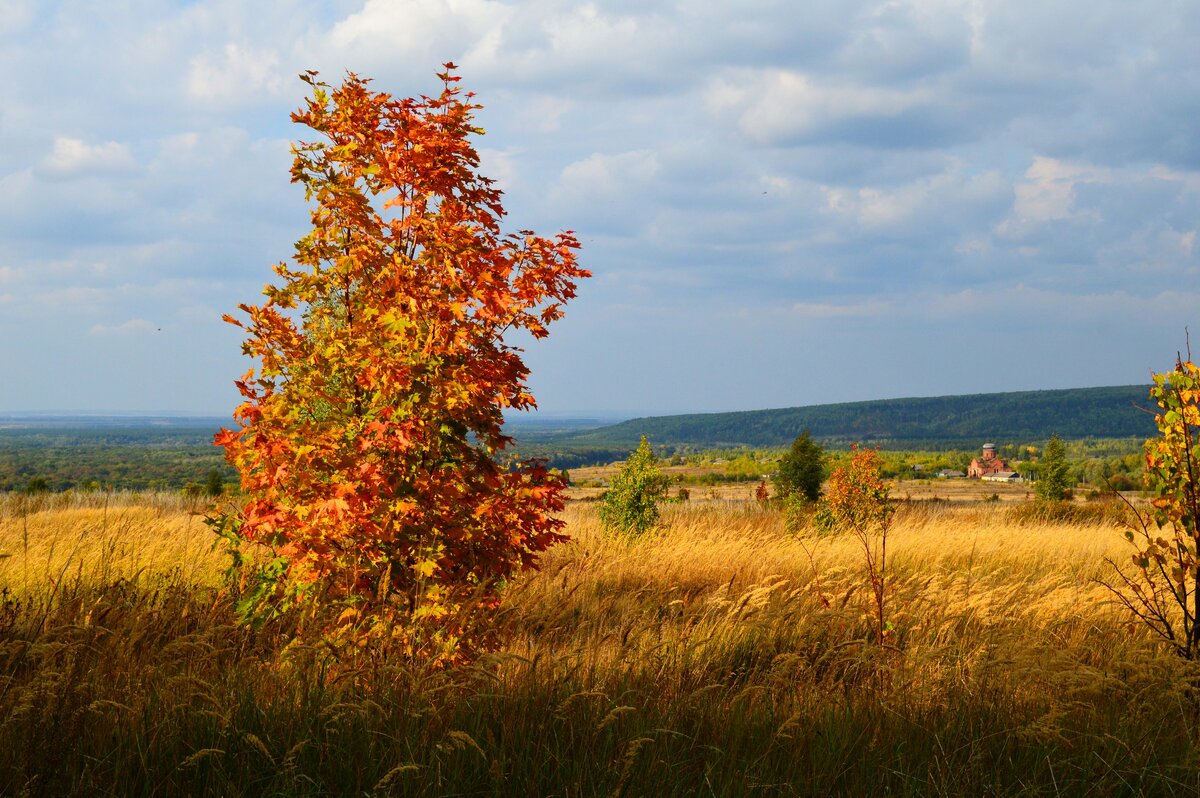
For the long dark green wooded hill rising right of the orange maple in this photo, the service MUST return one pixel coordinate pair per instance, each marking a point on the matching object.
(939, 422)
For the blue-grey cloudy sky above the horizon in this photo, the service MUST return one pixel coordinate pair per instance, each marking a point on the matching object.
(783, 203)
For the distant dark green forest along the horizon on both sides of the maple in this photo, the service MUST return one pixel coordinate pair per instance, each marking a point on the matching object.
(80, 454)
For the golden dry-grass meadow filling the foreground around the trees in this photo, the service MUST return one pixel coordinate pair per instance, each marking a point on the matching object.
(719, 656)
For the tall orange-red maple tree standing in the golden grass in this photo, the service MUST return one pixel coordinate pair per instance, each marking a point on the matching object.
(371, 435)
